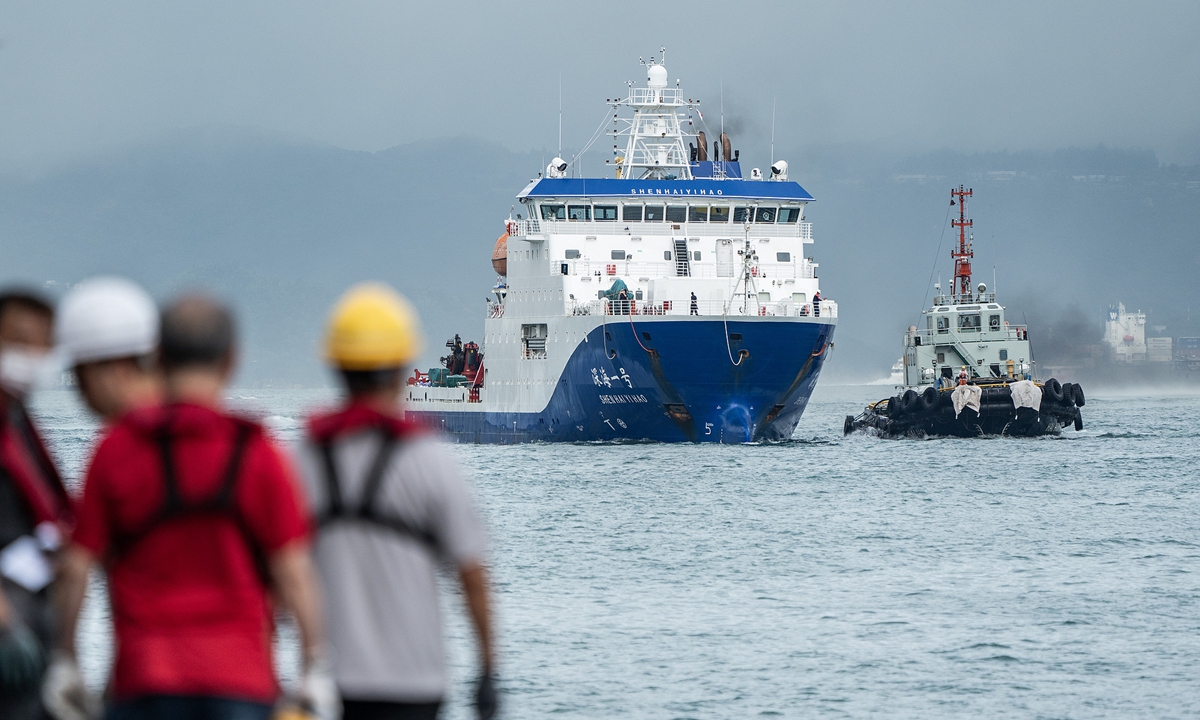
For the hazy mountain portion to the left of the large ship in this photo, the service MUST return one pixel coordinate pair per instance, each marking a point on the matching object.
(278, 226)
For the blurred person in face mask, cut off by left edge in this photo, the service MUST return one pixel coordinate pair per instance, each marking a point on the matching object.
(35, 509)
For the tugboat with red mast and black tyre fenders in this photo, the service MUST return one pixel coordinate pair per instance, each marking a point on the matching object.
(968, 373)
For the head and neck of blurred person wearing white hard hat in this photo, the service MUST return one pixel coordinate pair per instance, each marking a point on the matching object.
(109, 333)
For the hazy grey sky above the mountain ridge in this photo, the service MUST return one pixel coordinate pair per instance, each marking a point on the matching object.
(969, 76)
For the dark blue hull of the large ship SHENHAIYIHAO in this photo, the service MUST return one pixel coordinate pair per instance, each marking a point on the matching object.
(675, 381)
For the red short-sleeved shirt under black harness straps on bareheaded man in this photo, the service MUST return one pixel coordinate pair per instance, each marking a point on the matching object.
(190, 608)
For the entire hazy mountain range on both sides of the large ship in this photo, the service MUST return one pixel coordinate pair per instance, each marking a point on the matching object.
(283, 226)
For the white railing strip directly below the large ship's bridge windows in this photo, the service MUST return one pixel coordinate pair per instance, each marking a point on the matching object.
(680, 230)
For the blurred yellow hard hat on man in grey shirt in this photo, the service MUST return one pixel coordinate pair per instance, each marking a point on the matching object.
(373, 328)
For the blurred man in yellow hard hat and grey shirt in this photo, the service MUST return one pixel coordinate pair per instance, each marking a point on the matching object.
(391, 506)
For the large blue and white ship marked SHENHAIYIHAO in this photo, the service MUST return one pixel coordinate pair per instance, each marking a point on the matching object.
(673, 301)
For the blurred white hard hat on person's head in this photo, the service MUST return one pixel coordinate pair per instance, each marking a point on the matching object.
(104, 319)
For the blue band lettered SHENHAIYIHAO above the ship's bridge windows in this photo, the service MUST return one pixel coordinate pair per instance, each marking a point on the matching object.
(595, 188)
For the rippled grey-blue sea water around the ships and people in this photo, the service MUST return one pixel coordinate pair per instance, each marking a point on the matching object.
(821, 578)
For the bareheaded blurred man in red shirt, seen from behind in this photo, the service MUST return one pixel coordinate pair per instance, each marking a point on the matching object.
(196, 518)
